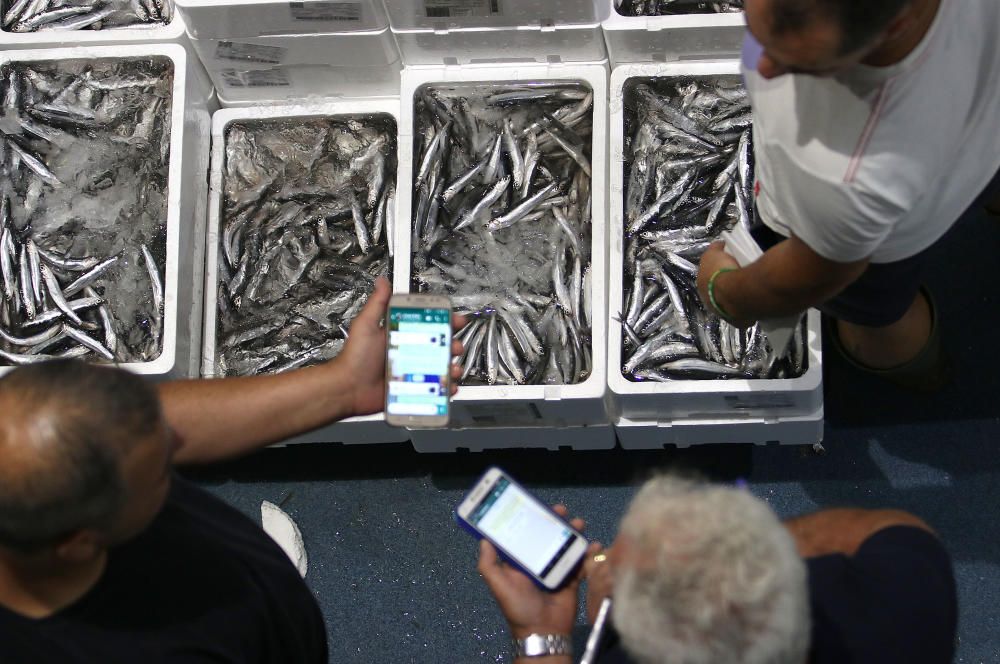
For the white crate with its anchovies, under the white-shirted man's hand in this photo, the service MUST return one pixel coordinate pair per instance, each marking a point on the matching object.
(681, 174)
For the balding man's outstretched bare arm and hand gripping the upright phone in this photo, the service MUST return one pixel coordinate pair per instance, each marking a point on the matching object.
(228, 417)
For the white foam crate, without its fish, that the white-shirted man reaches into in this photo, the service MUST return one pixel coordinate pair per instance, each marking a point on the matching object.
(672, 400)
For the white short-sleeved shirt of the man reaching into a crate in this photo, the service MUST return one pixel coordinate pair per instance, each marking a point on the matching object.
(880, 162)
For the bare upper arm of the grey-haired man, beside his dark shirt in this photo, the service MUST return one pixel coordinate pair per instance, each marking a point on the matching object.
(844, 530)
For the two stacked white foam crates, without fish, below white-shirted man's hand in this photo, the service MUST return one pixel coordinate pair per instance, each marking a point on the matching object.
(692, 412)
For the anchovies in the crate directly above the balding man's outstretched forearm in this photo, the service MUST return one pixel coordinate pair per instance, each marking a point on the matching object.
(306, 224)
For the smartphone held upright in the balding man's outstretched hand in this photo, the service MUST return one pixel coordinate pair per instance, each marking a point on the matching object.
(418, 361)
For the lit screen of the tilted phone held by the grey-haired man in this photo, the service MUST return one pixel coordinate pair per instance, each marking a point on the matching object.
(531, 534)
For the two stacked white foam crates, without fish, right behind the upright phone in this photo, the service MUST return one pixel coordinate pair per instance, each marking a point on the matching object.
(519, 416)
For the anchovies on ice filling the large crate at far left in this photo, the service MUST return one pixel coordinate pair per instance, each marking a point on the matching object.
(84, 154)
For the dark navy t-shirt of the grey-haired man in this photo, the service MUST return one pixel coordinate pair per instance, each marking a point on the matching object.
(893, 602)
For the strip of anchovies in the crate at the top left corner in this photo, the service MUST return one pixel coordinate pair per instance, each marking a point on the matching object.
(32, 15)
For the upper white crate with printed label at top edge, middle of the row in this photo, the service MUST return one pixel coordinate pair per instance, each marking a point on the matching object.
(441, 15)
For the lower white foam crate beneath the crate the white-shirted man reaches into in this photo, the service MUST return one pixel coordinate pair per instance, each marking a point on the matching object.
(802, 429)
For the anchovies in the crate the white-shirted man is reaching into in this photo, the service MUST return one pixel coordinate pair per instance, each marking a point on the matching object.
(688, 177)
